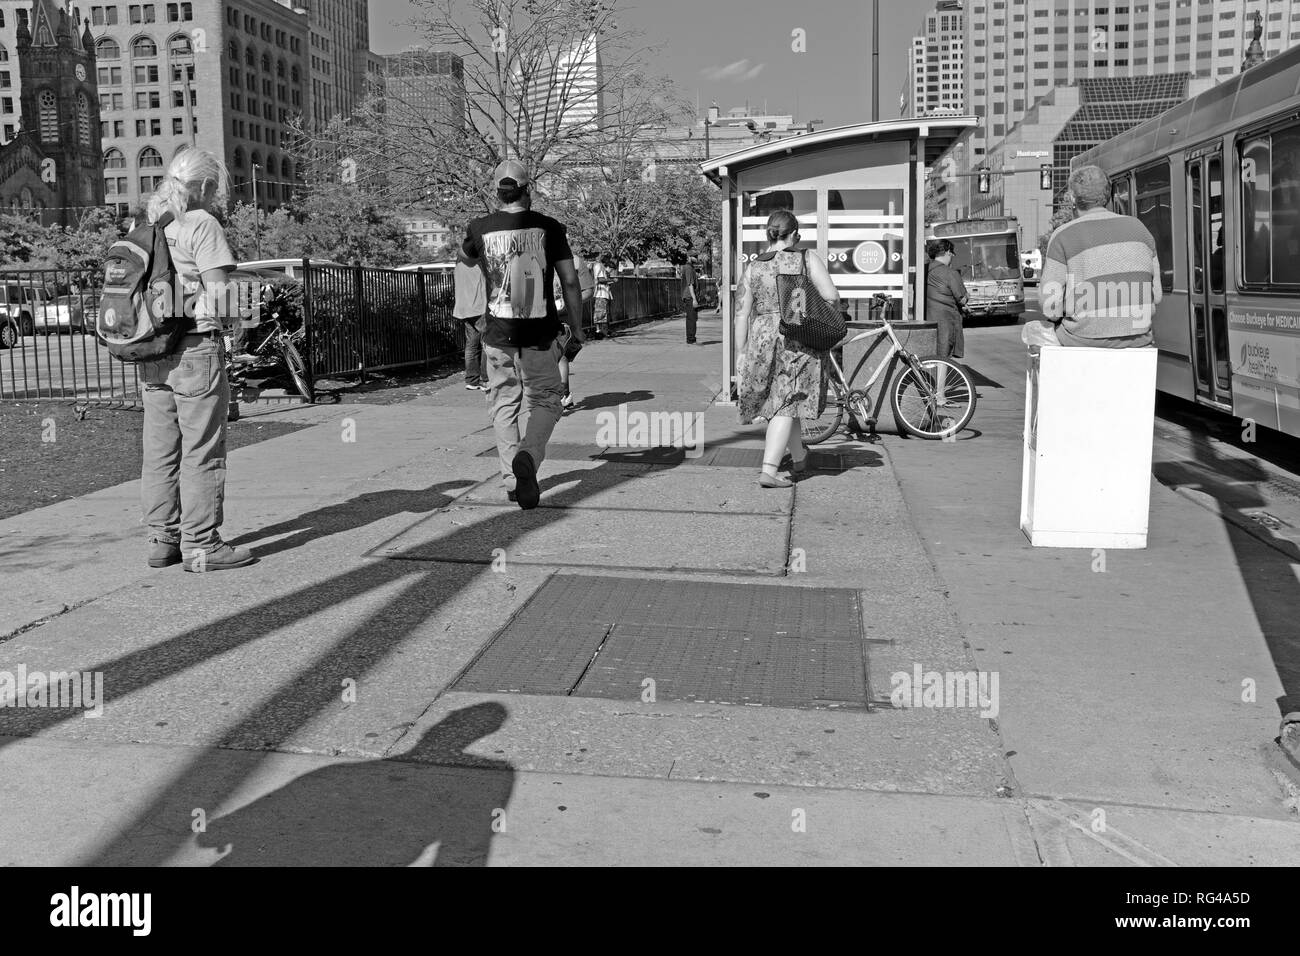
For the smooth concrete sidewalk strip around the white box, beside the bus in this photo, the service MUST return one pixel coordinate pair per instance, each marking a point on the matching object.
(1119, 686)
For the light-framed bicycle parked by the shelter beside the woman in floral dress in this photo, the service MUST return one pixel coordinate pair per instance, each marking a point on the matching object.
(913, 395)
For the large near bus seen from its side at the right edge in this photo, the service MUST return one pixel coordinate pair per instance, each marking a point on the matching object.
(1217, 183)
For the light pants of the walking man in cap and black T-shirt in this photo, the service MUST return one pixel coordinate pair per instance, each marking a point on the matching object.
(523, 383)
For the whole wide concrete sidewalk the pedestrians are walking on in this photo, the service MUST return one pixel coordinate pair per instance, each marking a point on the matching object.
(305, 706)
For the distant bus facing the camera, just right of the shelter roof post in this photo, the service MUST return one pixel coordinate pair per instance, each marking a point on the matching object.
(987, 254)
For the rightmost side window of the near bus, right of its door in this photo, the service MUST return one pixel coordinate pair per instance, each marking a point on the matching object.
(1271, 206)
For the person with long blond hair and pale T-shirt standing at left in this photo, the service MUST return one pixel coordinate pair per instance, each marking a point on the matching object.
(187, 393)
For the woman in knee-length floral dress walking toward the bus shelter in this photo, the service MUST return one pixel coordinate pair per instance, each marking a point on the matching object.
(781, 380)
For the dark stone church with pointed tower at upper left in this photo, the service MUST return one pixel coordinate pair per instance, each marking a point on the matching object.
(55, 165)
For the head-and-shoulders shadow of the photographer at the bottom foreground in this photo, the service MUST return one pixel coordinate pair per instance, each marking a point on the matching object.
(383, 812)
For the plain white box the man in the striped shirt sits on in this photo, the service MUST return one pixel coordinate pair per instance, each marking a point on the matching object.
(1089, 427)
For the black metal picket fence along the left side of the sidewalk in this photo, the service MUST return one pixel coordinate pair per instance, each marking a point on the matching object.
(357, 319)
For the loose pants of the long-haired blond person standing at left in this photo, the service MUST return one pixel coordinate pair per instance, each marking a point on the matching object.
(184, 473)
